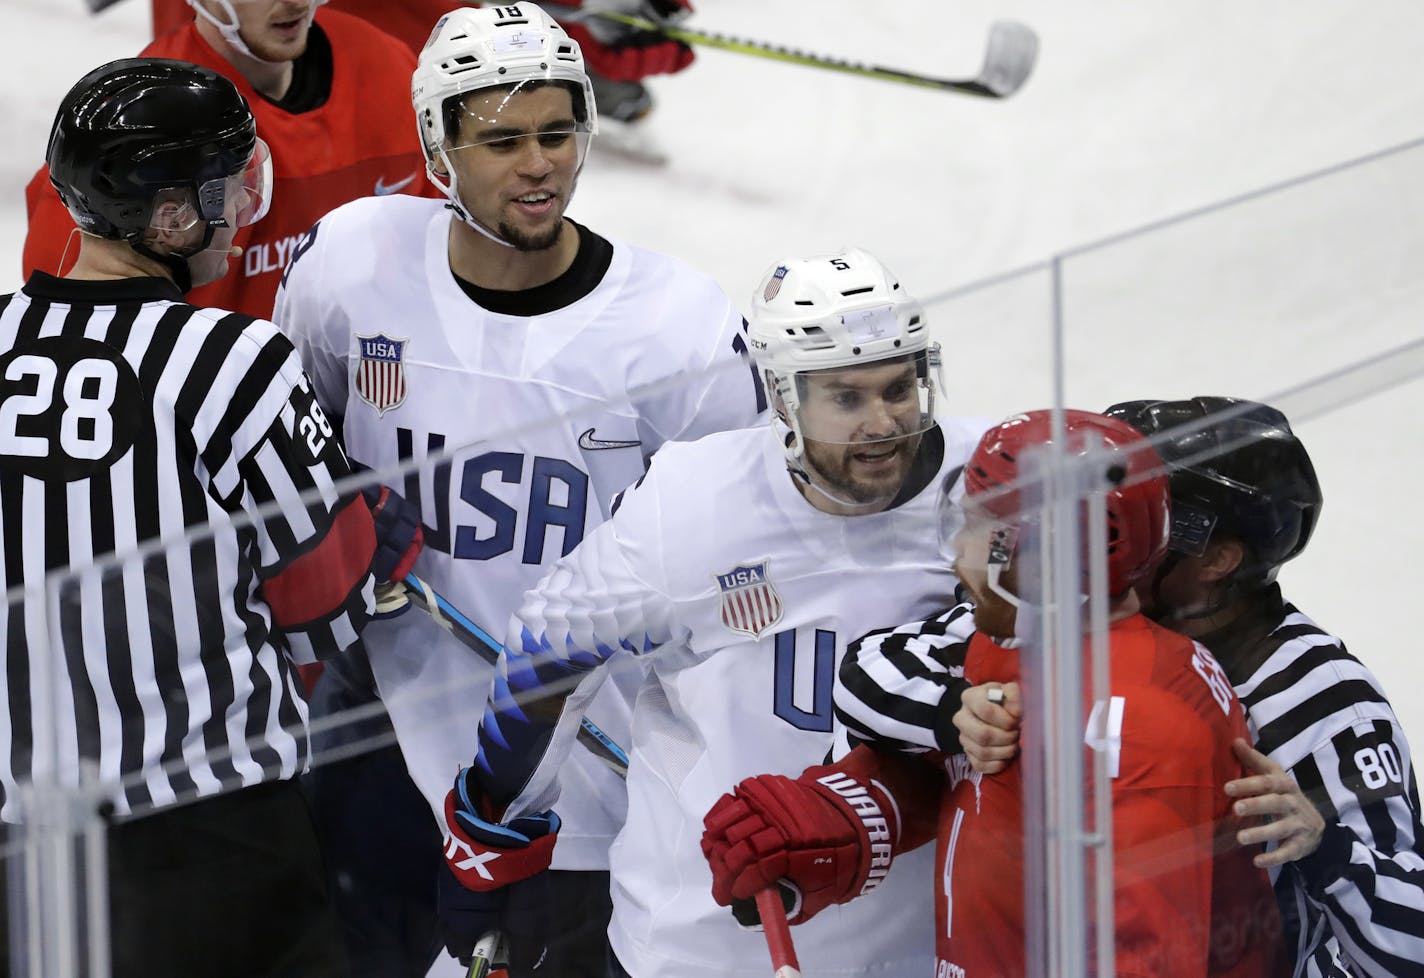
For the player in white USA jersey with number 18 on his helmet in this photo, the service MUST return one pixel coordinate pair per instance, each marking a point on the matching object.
(528, 367)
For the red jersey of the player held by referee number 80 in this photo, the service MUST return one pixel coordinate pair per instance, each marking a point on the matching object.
(1188, 900)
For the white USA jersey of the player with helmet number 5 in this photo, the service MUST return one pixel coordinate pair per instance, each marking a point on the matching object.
(741, 599)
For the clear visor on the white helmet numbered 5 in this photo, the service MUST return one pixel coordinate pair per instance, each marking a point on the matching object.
(879, 402)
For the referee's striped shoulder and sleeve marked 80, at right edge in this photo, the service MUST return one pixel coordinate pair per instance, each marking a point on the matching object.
(1356, 906)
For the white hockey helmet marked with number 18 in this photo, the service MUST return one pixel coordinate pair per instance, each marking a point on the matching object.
(515, 46)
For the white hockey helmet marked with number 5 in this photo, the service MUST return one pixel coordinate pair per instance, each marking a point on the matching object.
(832, 314)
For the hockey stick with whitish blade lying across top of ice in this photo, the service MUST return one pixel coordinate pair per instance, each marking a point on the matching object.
(1013, 49)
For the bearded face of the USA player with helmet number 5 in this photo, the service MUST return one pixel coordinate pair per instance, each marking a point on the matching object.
(862, 429)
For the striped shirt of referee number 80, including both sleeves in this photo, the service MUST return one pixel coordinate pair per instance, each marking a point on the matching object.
(1352, 909)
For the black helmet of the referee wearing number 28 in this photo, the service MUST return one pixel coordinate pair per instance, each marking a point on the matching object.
(137, 127)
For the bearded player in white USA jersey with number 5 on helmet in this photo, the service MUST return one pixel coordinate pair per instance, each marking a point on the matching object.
(738, 570)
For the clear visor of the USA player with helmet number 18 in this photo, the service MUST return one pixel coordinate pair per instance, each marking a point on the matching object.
(540, 116)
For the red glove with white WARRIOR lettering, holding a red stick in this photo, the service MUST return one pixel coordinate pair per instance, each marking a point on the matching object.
(827, 832)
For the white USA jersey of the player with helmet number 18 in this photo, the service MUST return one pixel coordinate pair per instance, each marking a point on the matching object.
(523, 429)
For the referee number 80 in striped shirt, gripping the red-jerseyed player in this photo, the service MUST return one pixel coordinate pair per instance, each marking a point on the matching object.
(1245, 500)
